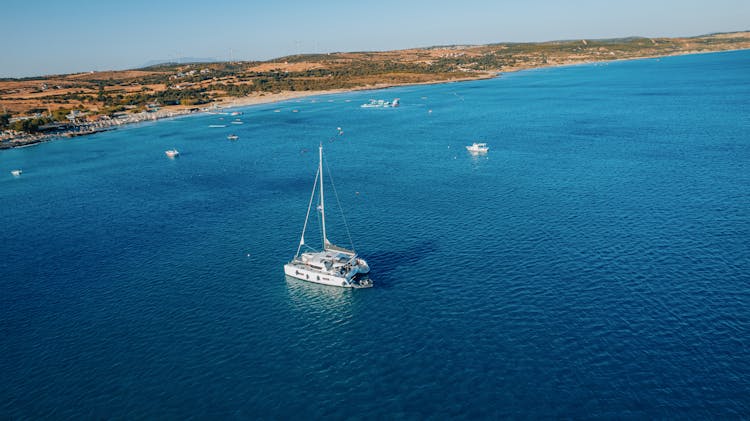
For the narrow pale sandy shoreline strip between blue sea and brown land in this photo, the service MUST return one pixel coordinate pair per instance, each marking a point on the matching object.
(21, 140)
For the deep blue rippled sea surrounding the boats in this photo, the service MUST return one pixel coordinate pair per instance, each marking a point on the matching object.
(594, 264)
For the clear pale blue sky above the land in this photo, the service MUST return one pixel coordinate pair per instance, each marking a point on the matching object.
(47, 37)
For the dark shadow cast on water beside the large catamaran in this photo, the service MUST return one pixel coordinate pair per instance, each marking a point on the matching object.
(385, 264)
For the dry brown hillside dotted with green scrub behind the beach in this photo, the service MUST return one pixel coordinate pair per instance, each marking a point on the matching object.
(98, 95)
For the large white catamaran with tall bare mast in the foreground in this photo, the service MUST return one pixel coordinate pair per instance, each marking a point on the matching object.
(333, 265)
